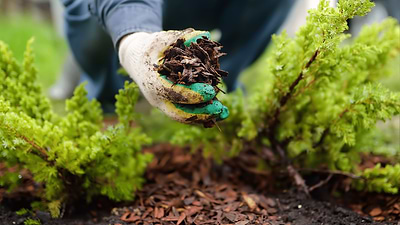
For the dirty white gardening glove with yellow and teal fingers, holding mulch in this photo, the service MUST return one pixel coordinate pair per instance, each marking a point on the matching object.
(140, 52)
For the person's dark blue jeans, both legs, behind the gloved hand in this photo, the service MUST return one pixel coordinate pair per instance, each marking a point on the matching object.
(246, 27)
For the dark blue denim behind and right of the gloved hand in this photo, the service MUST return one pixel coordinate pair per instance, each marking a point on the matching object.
(246, 26)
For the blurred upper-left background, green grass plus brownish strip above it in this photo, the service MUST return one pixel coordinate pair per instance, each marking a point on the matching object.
(21, 20)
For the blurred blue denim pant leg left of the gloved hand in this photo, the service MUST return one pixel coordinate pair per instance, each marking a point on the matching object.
(93, 49)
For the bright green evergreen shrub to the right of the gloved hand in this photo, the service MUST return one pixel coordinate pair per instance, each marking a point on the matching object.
(321, 99)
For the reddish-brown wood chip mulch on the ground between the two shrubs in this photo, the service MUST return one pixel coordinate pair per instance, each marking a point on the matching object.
(181, 190)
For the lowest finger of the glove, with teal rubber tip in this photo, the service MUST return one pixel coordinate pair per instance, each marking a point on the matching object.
(215, 108)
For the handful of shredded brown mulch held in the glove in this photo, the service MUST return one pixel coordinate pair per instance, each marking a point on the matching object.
(197, 63)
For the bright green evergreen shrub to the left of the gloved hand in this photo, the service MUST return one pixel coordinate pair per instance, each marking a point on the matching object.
(72, 157)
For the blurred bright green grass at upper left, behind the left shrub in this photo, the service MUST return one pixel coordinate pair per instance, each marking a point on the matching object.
(49, 47)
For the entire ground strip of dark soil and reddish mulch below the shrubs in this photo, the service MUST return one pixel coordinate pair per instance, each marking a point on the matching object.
(187, 189)
